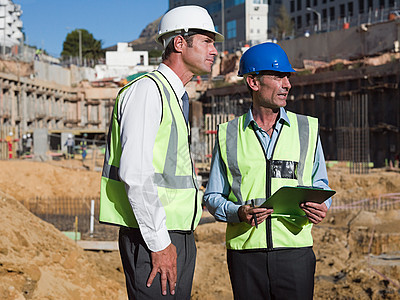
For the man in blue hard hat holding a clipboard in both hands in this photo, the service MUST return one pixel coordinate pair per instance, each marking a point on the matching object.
(269, 254)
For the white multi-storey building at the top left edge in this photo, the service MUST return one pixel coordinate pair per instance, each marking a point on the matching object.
(10, 25)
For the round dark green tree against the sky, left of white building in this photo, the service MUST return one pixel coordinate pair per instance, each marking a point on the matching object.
(91, 48)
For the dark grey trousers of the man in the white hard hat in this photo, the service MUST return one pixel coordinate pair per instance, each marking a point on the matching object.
(136, 260)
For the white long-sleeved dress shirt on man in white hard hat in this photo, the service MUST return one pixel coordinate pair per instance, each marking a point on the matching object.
(140, 112)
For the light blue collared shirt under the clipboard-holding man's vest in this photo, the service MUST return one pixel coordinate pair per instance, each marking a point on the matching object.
(217, 191)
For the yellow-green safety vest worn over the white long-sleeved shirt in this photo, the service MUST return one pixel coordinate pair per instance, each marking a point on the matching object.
(174, 172)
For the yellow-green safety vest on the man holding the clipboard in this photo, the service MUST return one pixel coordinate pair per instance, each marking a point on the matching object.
(251, 175)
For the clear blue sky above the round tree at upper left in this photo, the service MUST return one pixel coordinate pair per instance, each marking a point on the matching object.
(46, 23)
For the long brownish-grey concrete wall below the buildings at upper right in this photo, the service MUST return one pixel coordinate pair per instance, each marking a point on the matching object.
(351, 43)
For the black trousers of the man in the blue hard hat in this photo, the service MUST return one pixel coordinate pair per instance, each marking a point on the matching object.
(276, 275)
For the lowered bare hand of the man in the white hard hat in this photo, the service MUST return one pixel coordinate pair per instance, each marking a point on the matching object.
(164, 262)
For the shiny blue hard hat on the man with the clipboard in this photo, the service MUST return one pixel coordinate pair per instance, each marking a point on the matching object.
(264, 57)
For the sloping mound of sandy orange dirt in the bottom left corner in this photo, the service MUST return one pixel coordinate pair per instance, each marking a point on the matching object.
(38, 262)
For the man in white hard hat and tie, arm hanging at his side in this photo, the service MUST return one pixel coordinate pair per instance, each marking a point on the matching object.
(148, 185)
